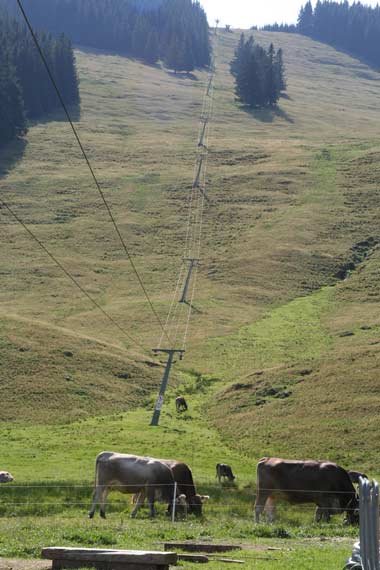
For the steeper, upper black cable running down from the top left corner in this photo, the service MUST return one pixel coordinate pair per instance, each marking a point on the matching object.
(101, 193)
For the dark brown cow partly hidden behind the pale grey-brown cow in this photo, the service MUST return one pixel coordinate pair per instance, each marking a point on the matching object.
(185, 488)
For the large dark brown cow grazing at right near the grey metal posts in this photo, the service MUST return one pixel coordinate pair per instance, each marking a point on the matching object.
(320, 482)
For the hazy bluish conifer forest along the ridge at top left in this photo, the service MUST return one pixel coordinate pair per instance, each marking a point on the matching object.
(174, 31)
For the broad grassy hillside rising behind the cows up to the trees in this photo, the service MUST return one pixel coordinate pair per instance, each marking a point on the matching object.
(293, 212)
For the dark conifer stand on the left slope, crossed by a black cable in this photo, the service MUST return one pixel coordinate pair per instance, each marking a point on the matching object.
(25, 88)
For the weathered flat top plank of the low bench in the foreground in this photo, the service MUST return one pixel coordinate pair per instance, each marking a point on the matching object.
(107, 555)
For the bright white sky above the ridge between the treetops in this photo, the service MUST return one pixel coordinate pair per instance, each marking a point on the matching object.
(247, 13)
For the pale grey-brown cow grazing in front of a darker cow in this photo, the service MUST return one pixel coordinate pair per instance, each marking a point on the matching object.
(131, 474)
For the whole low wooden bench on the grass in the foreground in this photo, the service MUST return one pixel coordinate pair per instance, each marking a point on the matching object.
(104, 559)
